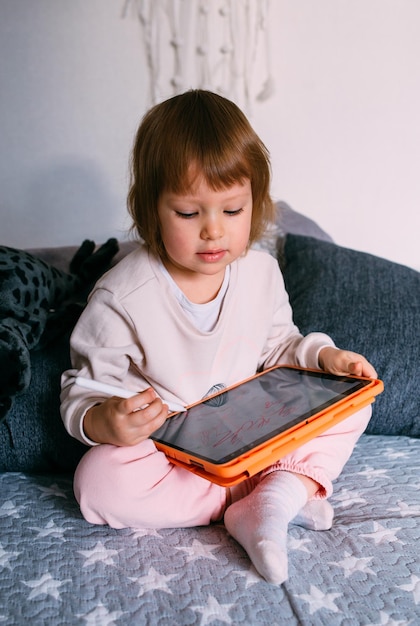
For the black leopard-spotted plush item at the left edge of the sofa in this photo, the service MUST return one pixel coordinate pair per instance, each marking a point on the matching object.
(33, 294)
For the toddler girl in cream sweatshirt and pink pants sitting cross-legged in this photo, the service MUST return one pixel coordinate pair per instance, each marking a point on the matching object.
(191, 310)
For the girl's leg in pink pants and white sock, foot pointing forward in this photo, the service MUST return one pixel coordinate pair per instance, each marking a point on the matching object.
(259, 521)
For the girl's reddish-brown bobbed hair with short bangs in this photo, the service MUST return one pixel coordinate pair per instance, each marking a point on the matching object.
(201, 129)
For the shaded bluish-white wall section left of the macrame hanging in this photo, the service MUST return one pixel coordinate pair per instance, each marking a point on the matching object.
(71, 95)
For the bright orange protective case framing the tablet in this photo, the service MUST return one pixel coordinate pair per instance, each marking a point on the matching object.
(252, 461)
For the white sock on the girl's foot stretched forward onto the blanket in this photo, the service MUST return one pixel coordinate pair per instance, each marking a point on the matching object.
(259, 522)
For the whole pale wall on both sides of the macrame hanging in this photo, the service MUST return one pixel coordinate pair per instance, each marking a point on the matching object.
(343, 127)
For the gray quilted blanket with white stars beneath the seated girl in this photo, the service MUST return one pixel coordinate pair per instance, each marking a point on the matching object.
(57, 569)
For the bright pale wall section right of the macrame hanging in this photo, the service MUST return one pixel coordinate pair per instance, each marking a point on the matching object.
(345, 126)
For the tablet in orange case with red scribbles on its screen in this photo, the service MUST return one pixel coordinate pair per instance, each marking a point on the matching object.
(241, 430)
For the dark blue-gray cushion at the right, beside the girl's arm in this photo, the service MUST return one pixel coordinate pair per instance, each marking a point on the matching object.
(366, 304)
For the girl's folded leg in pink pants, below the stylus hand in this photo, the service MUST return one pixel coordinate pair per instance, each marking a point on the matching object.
(138, 487)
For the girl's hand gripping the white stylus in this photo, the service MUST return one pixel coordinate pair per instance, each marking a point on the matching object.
(125, 422)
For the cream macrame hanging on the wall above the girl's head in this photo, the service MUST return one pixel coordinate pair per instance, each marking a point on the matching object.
(220, 45)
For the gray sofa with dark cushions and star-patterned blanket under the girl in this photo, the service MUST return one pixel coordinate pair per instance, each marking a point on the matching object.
(58, 569)
